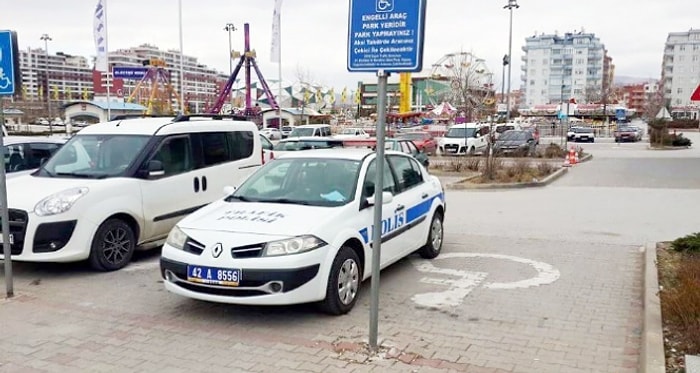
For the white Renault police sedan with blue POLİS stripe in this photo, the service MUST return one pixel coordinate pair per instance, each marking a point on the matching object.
(300, 230)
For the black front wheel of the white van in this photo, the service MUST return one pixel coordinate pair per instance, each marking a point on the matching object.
(113, 246)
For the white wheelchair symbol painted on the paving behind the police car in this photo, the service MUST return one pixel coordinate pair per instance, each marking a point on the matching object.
(460, 283)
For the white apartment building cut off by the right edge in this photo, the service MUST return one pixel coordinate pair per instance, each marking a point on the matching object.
(680, 72)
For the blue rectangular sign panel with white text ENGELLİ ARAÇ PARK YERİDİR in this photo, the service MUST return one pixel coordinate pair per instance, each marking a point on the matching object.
(386, 35)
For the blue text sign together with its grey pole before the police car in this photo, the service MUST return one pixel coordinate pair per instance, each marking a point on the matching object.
(384, 36)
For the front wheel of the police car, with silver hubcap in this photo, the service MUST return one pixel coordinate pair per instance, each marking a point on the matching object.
(343, 282)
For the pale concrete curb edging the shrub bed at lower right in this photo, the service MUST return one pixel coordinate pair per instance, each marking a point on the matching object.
(653, 358)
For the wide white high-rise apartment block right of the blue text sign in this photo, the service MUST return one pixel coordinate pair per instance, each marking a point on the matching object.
(557, 68)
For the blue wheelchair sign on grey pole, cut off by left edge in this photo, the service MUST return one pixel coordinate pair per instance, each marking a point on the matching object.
(7, 87)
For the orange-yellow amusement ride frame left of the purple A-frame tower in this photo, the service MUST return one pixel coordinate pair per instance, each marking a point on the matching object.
(155, 90)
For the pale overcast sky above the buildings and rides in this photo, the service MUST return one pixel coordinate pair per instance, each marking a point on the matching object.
(314, 33)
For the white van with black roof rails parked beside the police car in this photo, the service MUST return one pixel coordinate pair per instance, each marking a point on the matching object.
(119, 185)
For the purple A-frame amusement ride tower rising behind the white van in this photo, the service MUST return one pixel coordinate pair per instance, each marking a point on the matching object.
(247, 60)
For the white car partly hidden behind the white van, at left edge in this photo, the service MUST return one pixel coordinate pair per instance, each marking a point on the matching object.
(24, 154)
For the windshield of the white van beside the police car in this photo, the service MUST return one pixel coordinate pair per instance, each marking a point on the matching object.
(95, 156)
